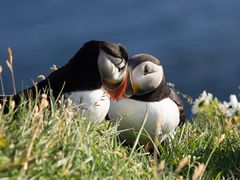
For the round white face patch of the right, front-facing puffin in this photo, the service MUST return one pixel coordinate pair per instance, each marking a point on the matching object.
(145, 77)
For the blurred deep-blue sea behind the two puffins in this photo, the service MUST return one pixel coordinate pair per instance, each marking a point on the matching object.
(198, 42)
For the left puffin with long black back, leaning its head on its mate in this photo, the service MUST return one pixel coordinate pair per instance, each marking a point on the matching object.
(96, 73)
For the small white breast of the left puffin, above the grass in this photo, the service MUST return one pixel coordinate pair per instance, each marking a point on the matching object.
(94, 104)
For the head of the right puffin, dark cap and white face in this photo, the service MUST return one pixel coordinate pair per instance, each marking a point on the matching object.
(145, 74)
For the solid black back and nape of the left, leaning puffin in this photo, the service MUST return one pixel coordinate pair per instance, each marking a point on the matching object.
(80, 73)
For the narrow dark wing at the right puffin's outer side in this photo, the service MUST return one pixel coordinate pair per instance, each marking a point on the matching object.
(175, 97)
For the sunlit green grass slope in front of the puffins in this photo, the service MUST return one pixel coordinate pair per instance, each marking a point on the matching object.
(65, 146)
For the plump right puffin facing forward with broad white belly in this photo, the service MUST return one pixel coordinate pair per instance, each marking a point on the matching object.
(149, 96)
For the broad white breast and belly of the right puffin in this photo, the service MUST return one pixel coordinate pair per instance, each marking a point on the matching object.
(131, 113)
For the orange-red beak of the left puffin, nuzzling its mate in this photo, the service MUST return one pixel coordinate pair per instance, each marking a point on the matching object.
(117, 93)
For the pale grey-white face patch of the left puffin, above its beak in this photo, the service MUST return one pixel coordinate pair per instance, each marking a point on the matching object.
(112, 69)
